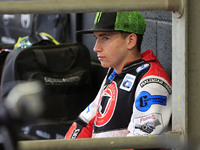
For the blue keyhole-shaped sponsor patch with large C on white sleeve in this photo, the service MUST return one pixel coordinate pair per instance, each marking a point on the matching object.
(145, 100)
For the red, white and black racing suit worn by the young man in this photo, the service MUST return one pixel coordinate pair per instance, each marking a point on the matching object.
(135, 102)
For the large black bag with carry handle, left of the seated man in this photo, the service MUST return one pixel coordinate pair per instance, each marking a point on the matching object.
(63, 69)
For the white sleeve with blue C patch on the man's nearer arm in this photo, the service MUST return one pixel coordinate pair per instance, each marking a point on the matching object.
(152, 107)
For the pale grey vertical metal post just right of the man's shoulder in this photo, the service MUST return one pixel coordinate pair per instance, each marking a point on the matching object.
(180, 72)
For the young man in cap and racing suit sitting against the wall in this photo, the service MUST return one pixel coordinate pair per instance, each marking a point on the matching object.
(135, 96)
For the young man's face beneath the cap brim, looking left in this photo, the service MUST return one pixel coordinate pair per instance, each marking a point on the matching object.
(111, 49)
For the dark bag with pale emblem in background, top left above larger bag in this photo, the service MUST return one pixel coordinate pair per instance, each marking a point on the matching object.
(14, 26)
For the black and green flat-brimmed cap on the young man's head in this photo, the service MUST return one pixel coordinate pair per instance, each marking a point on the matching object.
(127, 21)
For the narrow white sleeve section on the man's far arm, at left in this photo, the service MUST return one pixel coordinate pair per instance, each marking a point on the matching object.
(90, 110)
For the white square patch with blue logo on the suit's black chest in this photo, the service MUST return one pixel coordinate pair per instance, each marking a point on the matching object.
(127, 82)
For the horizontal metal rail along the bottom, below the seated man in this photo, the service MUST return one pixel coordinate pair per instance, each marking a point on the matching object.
(169, 140)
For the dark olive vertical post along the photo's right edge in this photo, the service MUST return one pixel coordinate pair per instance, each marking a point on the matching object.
(193, 71)
